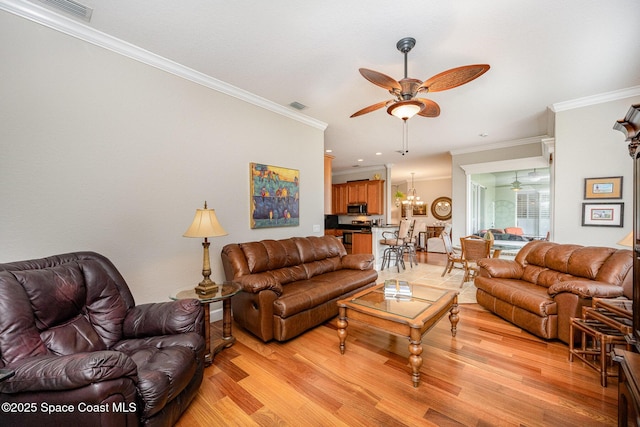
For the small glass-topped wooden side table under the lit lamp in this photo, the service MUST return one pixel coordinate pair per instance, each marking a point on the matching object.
(224, 294)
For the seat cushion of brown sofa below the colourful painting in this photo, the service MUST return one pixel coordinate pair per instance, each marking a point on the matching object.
(306, 294)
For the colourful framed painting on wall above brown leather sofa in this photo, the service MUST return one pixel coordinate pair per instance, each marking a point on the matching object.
(275, 196)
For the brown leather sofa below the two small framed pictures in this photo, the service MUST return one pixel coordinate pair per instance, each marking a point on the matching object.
(548, 283)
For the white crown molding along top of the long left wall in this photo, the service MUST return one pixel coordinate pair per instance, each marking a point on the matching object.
(50, 19)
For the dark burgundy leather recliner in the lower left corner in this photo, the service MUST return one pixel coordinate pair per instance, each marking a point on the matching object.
(84, 354)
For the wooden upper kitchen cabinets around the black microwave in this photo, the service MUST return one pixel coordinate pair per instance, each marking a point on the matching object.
(369, 192)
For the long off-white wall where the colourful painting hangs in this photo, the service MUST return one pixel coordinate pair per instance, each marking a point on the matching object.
(103, 153)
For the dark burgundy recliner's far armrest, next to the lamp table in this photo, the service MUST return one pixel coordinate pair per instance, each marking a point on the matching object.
(163, 318)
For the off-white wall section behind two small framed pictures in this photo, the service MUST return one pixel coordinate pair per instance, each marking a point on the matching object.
(587, 146)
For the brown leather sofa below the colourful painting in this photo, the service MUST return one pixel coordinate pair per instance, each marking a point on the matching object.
(292, 285)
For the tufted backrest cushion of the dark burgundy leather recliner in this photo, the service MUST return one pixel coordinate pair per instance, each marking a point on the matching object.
(73, 307)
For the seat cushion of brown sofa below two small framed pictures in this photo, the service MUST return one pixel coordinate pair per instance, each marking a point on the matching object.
(525, 295)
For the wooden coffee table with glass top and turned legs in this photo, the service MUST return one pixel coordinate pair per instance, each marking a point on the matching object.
(407, 316)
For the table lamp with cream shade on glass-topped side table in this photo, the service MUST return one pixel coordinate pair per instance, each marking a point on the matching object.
(205, 224)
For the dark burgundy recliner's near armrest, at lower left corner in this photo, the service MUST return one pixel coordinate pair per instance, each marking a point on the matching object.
(68, 372)
